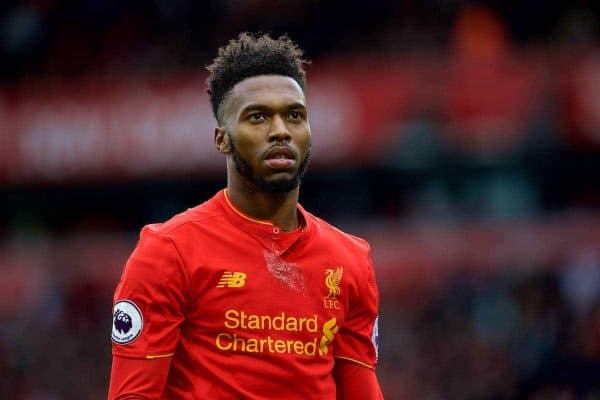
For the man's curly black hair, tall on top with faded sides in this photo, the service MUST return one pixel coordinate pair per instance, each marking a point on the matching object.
(251, 55)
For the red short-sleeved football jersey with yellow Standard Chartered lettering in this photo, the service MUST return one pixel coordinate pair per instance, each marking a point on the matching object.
(243, 309)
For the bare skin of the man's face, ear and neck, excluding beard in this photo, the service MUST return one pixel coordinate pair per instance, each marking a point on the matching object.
(263, 114)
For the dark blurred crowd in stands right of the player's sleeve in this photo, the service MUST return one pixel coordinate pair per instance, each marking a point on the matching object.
(532, 334)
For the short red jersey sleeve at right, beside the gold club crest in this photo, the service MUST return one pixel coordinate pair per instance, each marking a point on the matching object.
(358, 337)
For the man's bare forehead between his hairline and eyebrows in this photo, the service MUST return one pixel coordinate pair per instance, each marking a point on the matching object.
(266, 90)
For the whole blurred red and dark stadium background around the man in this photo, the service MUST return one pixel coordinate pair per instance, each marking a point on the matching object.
(461, 138)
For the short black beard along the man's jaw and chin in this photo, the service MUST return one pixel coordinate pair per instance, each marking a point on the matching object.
(276, 186)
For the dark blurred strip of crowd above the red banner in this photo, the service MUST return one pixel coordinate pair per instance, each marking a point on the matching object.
(69, 38)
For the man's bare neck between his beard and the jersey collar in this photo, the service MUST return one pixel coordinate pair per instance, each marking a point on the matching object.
(278, 208)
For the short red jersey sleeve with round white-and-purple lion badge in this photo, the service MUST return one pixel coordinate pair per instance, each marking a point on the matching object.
(149, 302)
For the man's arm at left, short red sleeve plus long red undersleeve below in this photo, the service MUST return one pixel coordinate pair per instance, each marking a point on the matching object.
(149, 307)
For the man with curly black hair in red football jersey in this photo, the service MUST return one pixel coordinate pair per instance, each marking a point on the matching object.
(249, 296)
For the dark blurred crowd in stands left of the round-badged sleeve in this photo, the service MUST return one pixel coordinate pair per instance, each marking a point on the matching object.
(57, 347)
